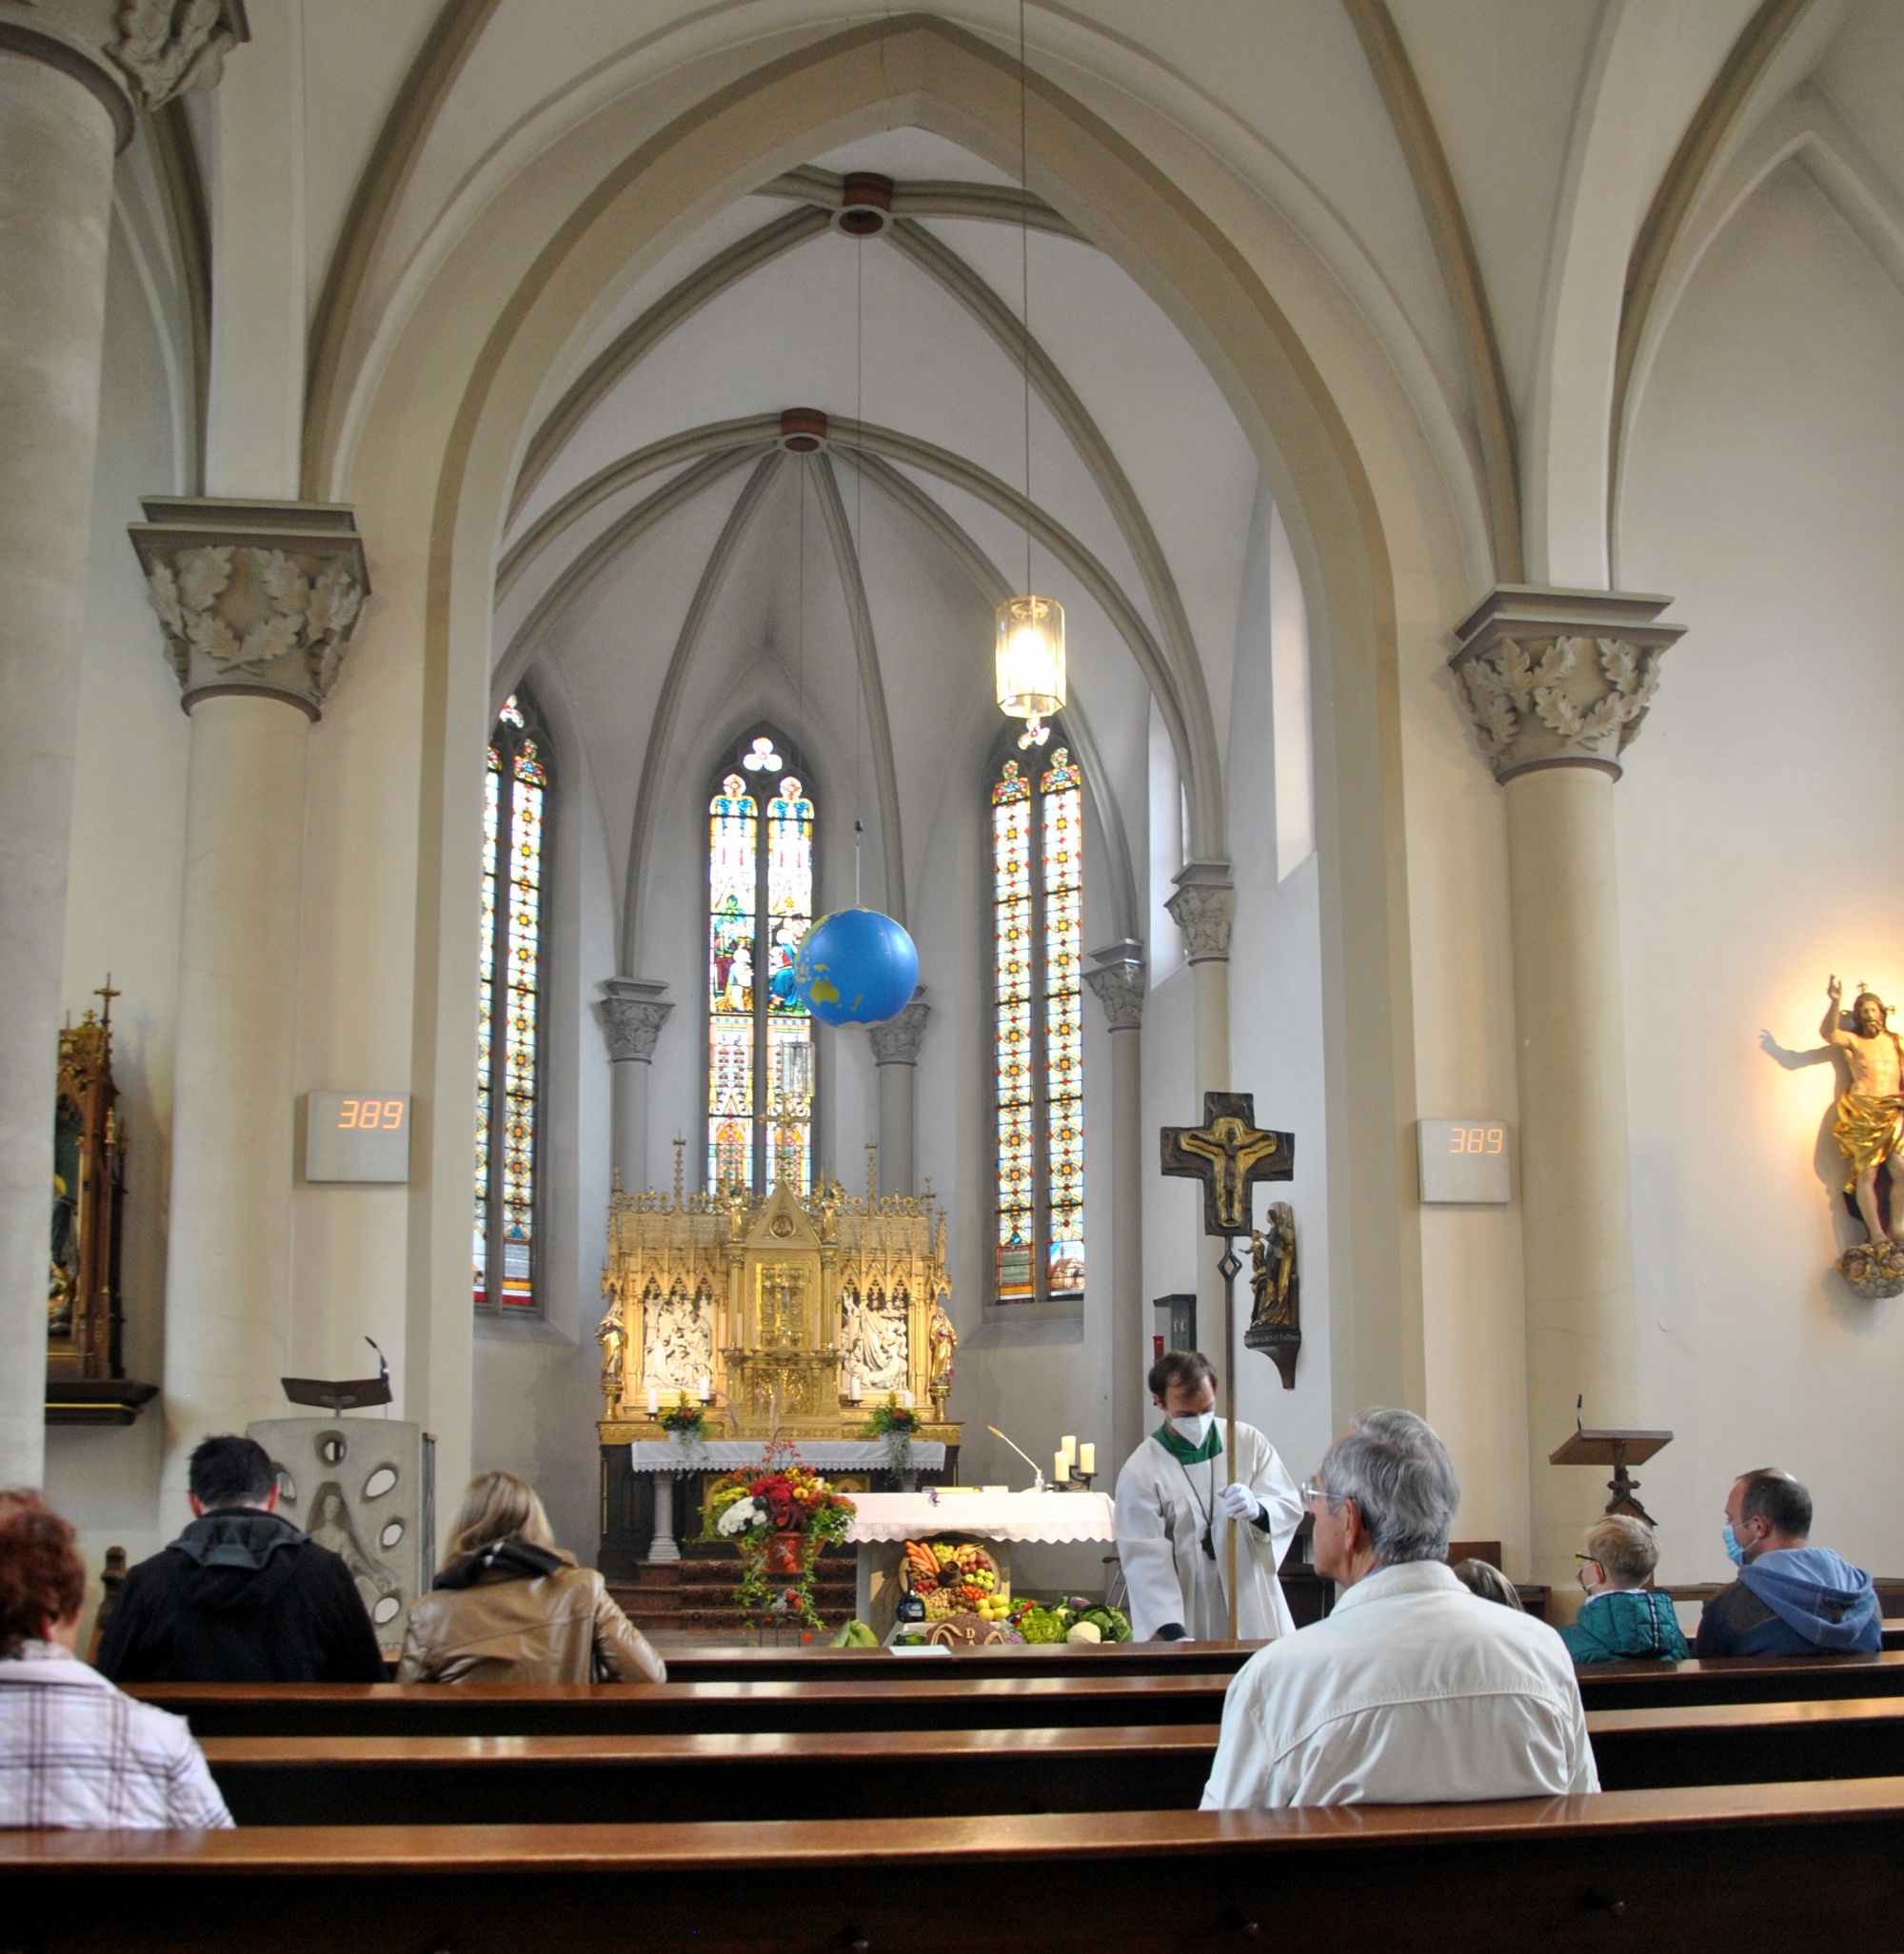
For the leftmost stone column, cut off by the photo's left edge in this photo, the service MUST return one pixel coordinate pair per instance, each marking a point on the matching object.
(71, 83)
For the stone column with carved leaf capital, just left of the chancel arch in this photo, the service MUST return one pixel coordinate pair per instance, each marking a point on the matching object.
(257, 603)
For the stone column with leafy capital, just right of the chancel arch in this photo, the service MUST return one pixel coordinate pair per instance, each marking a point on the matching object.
(1557, 685)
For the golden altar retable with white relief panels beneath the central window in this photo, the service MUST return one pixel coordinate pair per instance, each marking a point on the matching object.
(783, 1304)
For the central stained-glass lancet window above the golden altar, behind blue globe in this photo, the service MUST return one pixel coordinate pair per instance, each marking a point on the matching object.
(759, 1035)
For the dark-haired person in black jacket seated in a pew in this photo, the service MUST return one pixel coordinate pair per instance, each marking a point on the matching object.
(241, 1595)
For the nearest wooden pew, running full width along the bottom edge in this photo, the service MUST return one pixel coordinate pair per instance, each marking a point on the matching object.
(1747, 1869)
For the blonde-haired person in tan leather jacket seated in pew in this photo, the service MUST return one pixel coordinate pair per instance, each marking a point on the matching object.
(513, 1607)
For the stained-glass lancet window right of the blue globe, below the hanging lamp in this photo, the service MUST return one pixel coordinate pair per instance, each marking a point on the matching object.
(1037, 894)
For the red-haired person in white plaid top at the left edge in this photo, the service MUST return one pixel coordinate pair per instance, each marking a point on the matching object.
(73, 1750)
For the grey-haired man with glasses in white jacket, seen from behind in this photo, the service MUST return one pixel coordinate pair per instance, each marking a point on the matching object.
(1414, 1691)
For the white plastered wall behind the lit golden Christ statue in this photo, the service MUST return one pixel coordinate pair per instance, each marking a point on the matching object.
(1754, 831)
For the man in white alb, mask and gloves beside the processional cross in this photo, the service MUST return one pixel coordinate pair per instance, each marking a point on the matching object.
(1176, 1508)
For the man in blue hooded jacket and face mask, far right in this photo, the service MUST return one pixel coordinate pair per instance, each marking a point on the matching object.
(1790, 1597)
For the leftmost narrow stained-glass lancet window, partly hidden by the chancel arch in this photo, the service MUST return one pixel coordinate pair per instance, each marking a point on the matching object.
(509, 1009)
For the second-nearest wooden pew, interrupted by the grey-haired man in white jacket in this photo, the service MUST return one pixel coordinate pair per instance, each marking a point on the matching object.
(496, 1781)
